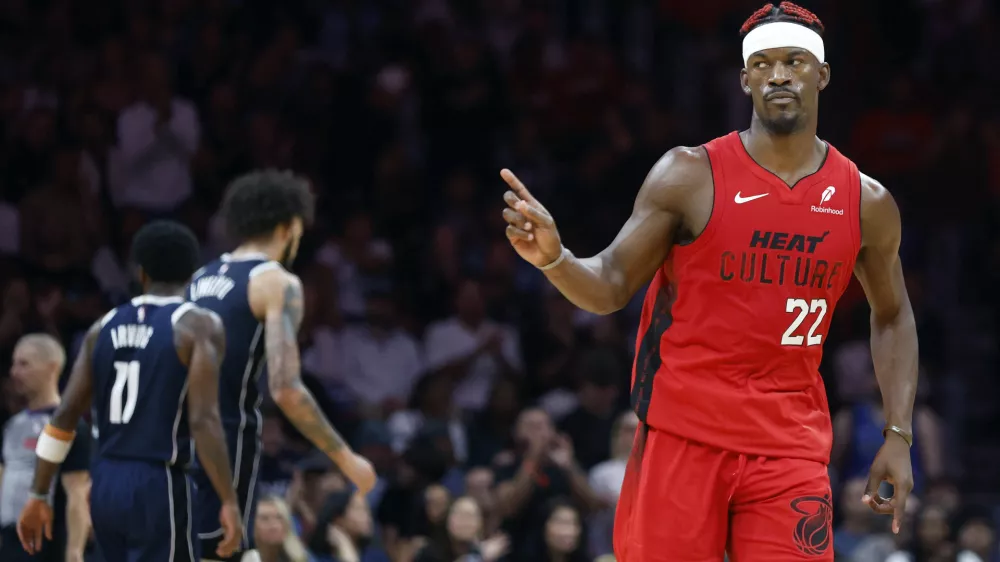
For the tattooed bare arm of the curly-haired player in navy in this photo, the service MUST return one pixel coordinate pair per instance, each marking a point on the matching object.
(276, 297)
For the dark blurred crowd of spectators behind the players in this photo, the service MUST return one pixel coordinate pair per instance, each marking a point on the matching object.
(438, 352)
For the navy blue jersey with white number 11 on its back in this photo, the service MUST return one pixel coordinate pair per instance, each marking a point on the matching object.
(140, 384)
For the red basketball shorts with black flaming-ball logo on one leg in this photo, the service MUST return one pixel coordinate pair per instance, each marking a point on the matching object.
(685, 502)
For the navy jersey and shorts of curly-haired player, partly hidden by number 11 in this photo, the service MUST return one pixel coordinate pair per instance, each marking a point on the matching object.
(221, 286)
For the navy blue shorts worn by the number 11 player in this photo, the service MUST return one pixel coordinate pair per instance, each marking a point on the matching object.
(142, 512)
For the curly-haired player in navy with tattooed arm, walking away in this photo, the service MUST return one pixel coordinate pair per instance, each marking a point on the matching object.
(260, 303)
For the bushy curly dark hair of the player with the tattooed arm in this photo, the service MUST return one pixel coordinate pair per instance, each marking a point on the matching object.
(257, 203)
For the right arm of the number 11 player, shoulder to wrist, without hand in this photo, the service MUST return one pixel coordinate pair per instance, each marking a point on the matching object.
(200, 338)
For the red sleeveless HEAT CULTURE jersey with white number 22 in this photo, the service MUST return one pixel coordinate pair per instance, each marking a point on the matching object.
(733, 324)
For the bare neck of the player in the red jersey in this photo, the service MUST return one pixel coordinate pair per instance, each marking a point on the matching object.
(779, 153)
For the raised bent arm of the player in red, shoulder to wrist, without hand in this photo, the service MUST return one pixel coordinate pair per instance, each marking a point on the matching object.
(606, 282)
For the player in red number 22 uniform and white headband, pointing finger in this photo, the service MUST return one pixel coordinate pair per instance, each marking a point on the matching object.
(749, 241)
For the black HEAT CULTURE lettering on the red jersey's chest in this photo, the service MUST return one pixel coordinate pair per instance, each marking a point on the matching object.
(782, 258)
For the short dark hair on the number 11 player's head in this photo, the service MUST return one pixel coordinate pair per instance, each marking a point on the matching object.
(167, 251)
